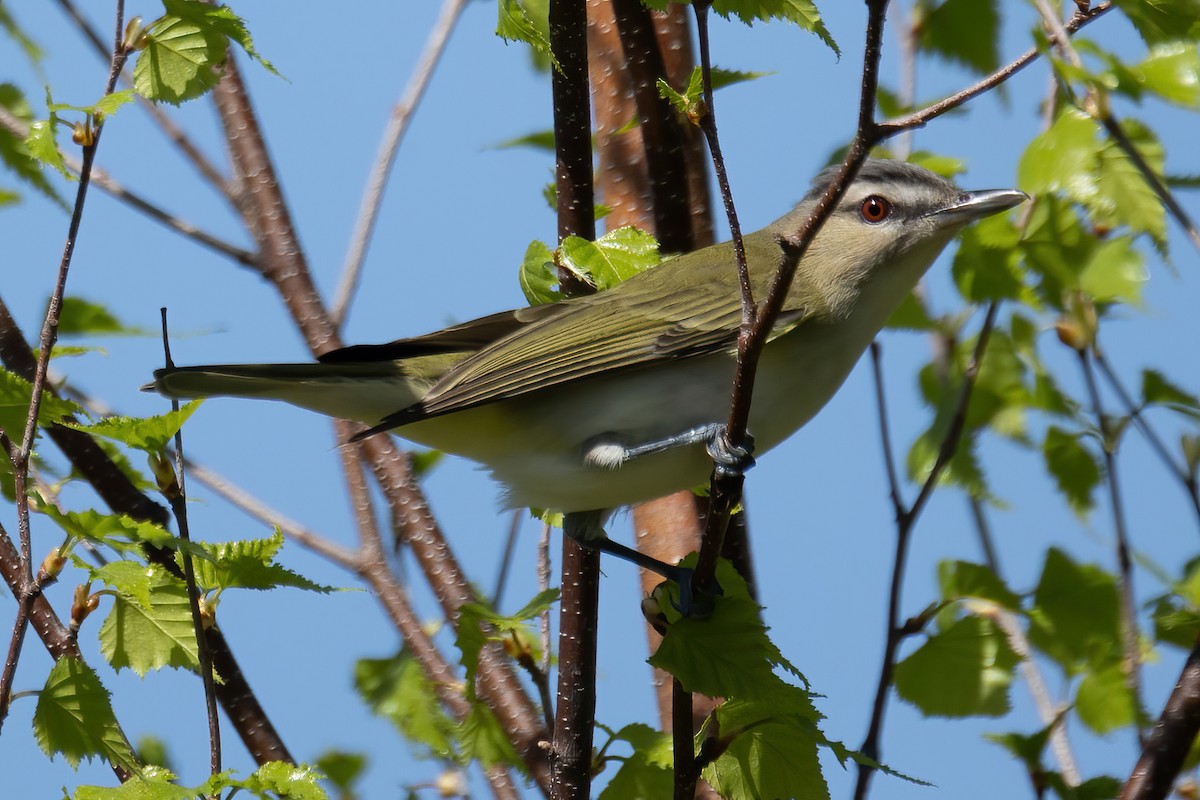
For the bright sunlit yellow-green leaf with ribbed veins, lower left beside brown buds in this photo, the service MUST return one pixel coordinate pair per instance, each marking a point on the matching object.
(146, 637)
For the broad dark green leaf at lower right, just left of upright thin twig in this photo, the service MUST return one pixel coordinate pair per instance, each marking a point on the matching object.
(1076, 617)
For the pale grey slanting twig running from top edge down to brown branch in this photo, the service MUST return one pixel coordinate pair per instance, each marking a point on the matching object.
(401, 116)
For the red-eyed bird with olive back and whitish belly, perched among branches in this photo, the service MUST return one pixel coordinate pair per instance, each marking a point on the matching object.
(609, 400)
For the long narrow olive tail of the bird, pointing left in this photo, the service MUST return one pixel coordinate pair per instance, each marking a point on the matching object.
(365, 392)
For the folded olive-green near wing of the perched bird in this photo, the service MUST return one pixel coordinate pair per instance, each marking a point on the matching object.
(575, 340)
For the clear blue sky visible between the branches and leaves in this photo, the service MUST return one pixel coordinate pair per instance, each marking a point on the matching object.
(457, 221)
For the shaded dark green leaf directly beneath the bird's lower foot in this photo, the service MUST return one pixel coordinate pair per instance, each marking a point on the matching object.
(729, 654)
